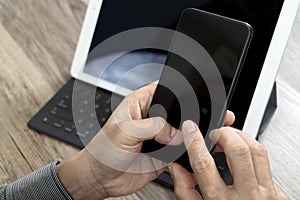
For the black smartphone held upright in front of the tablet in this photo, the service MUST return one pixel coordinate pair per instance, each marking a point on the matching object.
(184, 91)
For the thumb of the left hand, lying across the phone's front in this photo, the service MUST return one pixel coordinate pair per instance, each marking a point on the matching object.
(152, 128)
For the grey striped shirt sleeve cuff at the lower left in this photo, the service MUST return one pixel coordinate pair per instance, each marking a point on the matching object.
(40, 184)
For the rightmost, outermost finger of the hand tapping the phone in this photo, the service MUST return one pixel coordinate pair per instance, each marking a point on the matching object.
(260, 161)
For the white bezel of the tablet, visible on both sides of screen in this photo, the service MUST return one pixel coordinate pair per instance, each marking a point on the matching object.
(266, 78)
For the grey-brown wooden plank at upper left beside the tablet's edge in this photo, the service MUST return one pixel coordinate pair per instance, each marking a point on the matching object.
(47, 31)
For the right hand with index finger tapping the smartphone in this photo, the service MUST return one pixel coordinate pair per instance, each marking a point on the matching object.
(247, 160)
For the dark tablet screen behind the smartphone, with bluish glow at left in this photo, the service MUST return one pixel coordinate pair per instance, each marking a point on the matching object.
(118, 16)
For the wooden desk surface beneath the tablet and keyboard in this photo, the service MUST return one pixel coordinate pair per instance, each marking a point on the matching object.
(36, 51)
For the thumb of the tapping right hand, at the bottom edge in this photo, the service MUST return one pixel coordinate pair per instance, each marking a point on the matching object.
(184, 184)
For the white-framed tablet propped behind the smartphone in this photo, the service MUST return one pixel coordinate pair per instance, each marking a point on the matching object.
(271, 22)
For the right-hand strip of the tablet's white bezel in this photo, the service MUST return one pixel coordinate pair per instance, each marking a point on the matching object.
(270, 68)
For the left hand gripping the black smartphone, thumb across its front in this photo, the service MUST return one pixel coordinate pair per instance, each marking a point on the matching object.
(111, 165)
